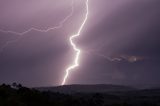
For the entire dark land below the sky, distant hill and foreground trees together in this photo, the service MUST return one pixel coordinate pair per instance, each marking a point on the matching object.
(78, 95)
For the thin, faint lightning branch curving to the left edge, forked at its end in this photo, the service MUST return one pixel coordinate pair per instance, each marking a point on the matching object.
(21, 34)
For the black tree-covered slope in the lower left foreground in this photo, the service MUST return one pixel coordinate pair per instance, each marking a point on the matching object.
(17, 95)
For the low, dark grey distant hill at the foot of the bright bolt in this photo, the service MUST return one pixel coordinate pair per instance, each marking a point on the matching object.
(97, 88)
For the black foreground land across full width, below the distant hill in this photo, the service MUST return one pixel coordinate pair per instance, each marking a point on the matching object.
(17, 95)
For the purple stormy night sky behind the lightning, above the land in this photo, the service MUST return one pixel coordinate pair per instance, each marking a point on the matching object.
(120, 42)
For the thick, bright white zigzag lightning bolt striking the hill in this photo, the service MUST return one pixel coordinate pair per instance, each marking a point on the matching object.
(78, 51)
